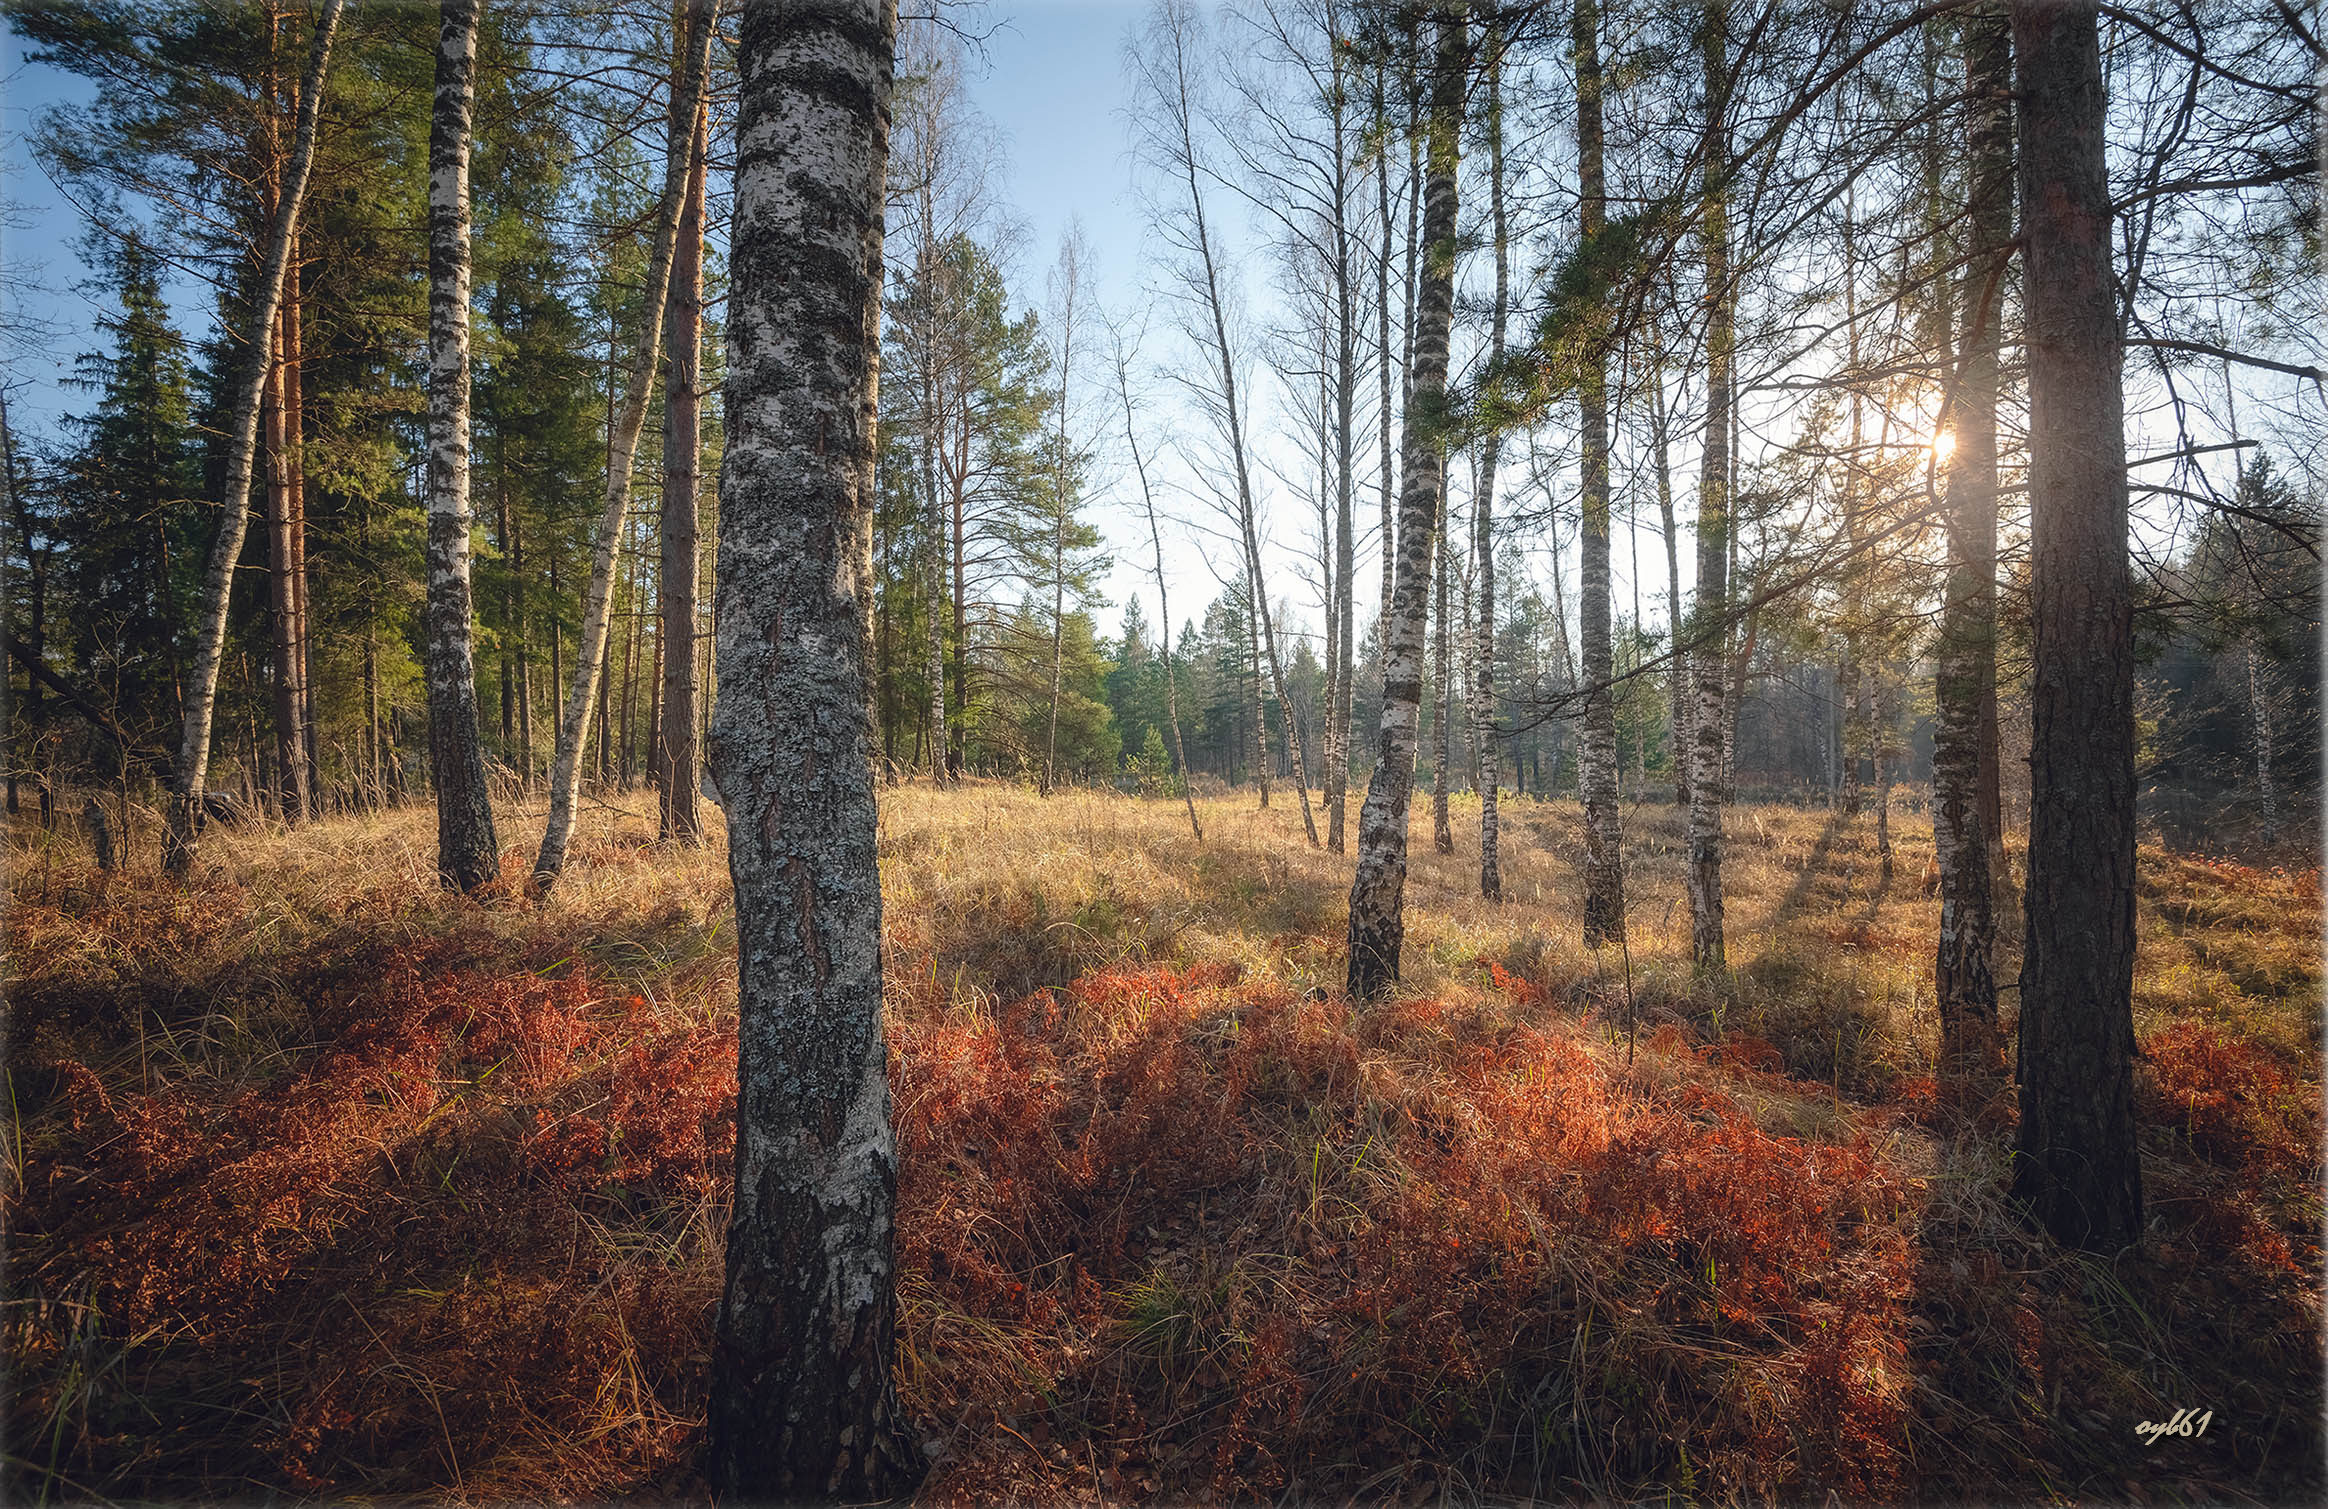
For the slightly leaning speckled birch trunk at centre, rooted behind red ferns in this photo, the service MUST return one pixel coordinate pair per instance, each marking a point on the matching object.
(1379, 886)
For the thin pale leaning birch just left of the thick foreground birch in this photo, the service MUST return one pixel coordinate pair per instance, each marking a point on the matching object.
(690, 83)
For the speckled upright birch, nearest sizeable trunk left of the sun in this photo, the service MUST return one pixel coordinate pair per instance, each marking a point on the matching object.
(1712, 523)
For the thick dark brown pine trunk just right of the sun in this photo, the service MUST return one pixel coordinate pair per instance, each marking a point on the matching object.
(2078, 1168)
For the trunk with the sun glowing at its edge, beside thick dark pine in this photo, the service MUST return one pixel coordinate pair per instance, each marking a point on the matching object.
(1964, 972)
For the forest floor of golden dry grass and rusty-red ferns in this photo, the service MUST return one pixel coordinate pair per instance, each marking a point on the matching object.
(332, 1186)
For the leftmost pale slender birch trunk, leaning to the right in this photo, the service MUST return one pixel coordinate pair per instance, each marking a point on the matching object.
(180, 842)
